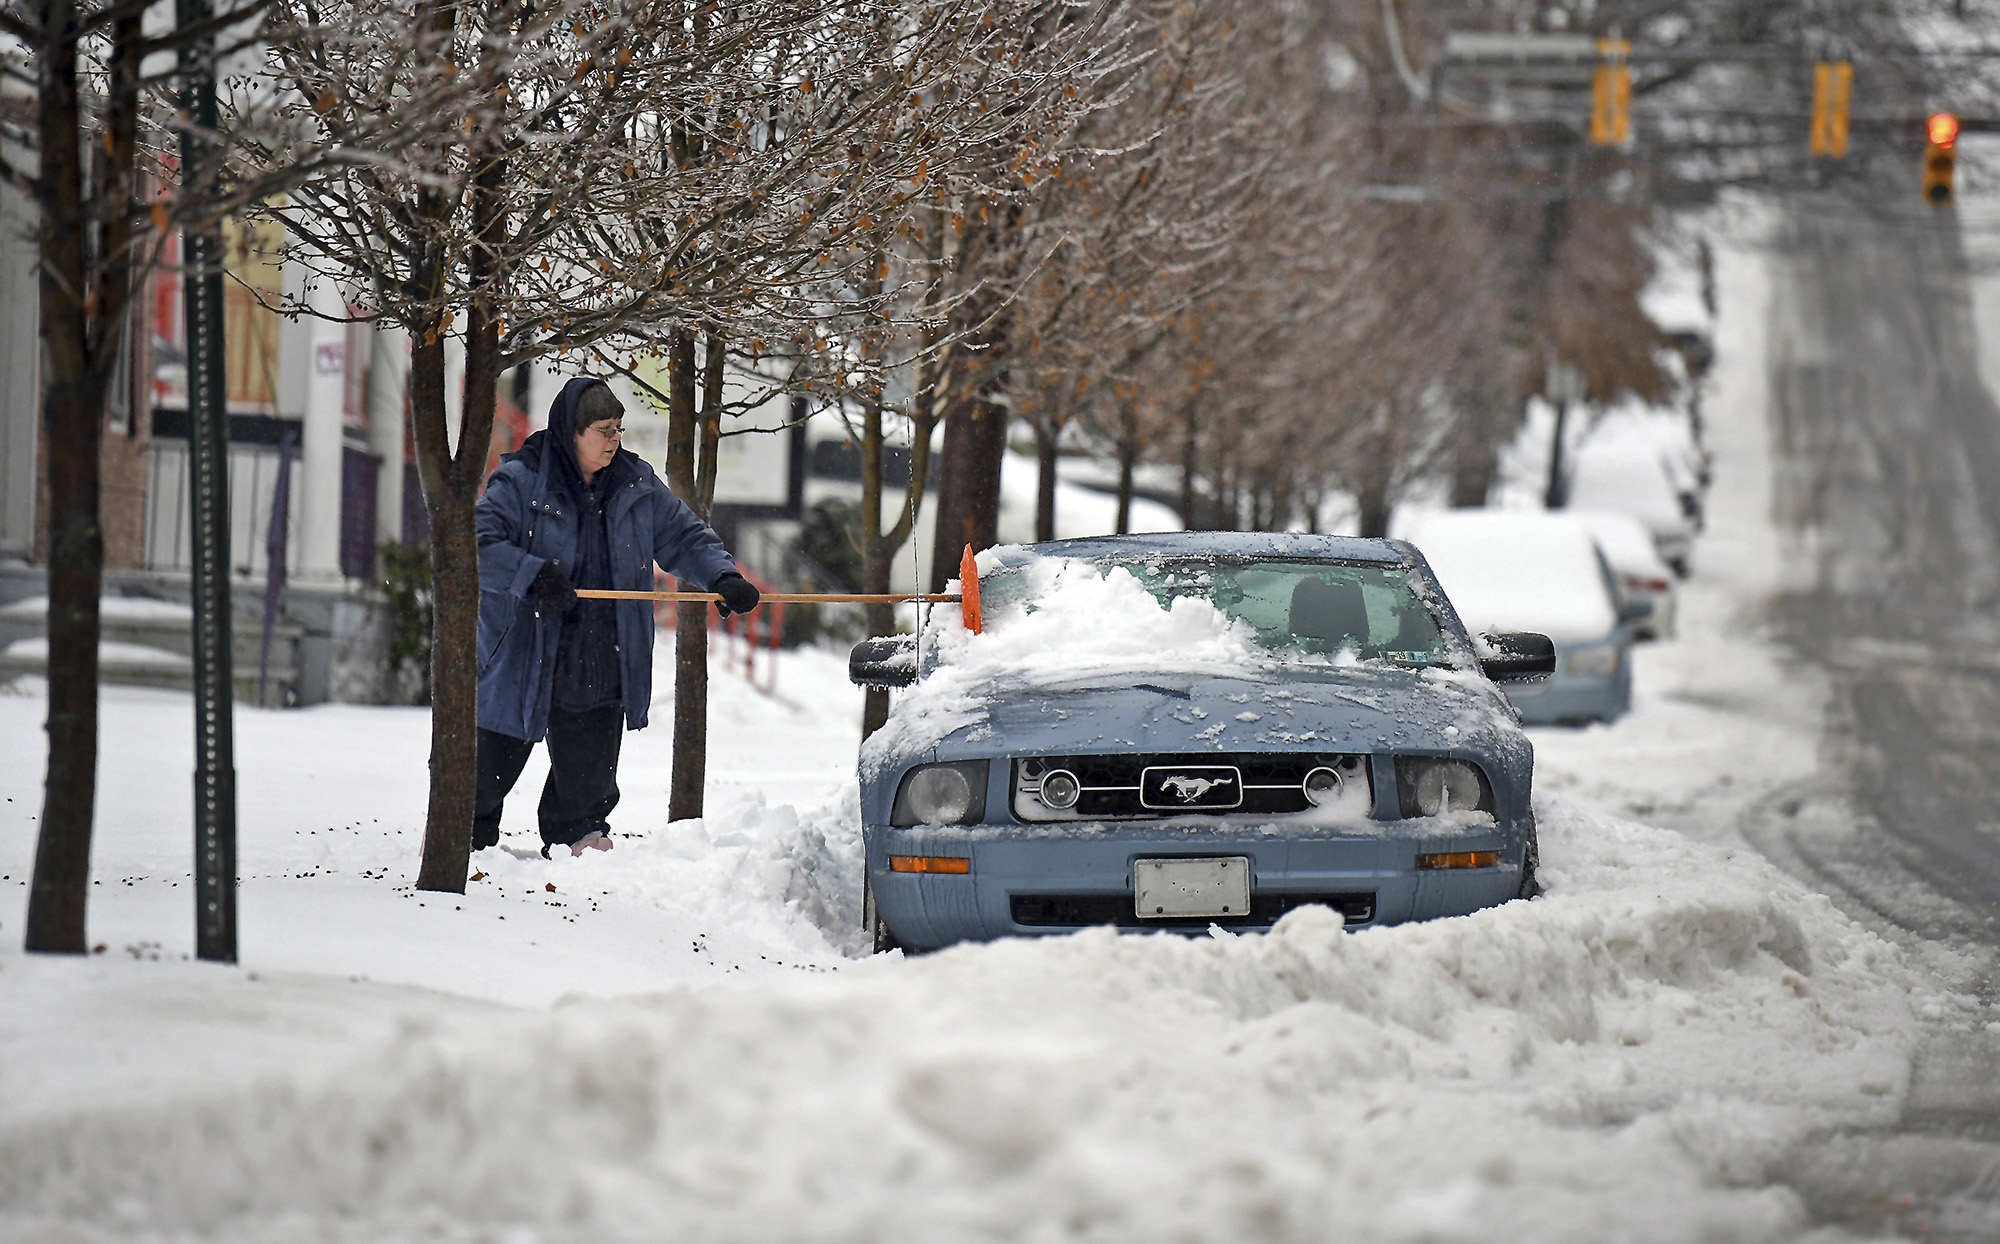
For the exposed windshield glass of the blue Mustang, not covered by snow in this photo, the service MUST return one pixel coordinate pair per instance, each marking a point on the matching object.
(1293, 609)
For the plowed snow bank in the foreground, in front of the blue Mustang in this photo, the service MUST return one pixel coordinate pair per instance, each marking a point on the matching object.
(1623, 1059)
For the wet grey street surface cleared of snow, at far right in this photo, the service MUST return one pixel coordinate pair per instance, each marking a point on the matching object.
(1887, 485)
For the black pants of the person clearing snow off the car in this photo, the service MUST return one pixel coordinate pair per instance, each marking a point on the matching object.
(583, 775)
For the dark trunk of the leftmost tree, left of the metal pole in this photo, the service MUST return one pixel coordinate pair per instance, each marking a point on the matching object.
(73, 431)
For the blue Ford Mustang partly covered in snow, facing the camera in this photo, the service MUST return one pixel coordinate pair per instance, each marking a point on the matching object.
(1333, 737)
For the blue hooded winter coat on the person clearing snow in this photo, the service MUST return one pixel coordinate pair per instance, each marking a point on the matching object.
(525, 521)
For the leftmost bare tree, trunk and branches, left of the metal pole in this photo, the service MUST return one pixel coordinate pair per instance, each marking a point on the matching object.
(109, 187)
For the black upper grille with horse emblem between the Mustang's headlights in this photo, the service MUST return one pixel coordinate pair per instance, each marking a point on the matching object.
(1127, 785)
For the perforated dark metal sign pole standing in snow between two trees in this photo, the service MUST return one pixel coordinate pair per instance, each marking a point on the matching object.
(209, 457)
